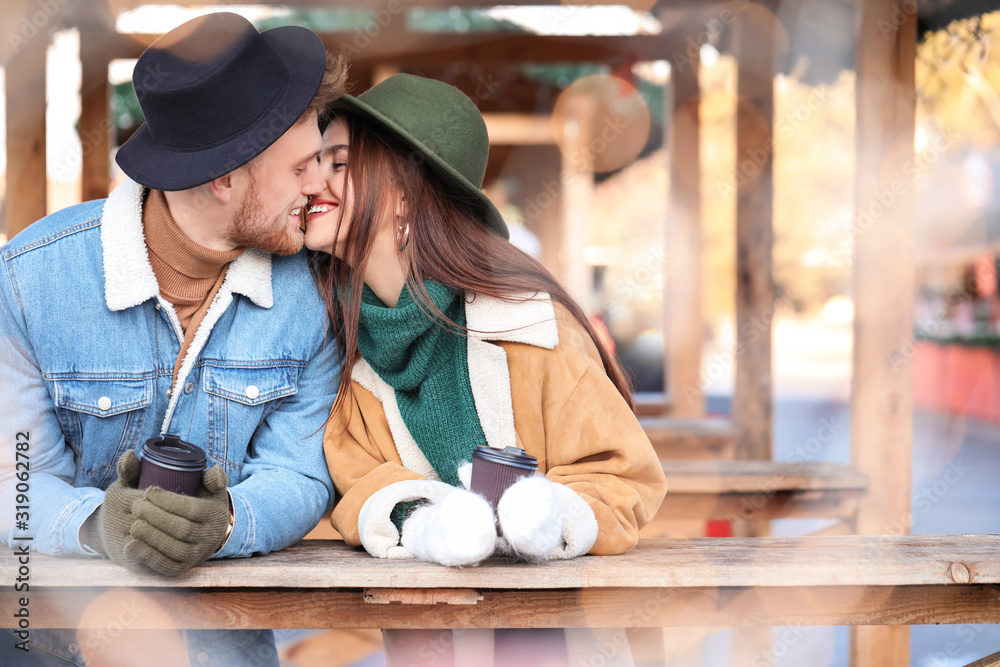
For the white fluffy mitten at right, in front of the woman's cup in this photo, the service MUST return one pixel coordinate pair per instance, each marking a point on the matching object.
(541, 519)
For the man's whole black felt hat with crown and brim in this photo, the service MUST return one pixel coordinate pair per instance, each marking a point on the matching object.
(215, 93)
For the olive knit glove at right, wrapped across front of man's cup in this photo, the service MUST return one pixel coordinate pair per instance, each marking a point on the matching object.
(172, 532)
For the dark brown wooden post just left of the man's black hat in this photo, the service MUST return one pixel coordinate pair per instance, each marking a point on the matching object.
(96, 124)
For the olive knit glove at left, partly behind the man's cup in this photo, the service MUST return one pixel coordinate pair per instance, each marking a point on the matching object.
(113, 519)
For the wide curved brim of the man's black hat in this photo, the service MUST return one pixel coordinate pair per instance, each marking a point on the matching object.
(161, 168)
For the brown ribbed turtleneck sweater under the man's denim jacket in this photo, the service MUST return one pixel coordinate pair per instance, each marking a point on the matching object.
(189, 274)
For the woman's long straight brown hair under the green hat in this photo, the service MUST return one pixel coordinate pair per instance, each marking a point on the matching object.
(447, 243)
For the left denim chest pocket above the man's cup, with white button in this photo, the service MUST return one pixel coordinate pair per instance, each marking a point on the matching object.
(106, 414)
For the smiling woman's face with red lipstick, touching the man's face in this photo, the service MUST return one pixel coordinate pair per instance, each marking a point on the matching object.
(335, 200)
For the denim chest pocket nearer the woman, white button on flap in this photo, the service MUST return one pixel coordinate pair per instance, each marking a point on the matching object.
(240, 399)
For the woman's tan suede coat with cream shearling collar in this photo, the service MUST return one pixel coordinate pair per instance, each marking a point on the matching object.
(538, 383)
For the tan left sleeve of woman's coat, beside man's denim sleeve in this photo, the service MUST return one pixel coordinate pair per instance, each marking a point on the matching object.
(361, 459)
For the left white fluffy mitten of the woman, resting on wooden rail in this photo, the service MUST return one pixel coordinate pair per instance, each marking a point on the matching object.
(456, 529)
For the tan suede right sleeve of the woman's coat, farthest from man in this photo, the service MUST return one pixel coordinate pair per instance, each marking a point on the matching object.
(569, 412)
